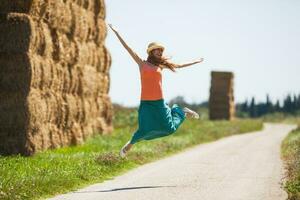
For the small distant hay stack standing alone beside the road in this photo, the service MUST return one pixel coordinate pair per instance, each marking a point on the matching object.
(221, 100)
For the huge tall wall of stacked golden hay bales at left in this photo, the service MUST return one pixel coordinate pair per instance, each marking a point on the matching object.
(54, 74)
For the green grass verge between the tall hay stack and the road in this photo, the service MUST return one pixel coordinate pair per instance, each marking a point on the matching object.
(58, 171)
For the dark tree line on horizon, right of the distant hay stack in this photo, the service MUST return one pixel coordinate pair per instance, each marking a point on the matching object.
(291, 105)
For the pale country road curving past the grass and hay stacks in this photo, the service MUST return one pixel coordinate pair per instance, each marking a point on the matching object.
(241, 167)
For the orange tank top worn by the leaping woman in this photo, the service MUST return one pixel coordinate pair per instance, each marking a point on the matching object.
(151, 82)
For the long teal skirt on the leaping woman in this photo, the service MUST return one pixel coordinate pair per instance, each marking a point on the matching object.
(156, 119)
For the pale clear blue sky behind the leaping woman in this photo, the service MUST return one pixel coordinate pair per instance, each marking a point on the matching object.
(257, 40)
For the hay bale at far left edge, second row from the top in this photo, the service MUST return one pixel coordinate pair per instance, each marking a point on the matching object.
(23, 35)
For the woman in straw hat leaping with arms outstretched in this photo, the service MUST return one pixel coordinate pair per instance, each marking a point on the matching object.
(156, 119)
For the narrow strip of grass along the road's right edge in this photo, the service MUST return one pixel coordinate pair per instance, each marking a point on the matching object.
(291, 155)
